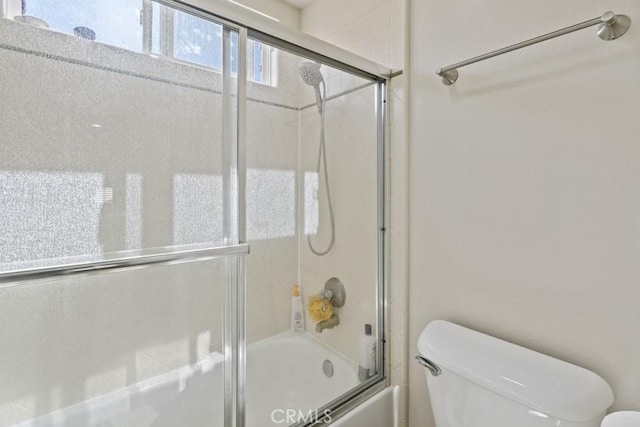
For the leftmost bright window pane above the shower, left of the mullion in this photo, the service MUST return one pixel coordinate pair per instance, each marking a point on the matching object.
(115, 22)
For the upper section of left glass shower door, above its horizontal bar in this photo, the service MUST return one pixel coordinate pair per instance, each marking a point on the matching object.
(107, 151)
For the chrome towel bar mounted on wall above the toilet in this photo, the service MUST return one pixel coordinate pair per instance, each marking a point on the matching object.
(610, 27)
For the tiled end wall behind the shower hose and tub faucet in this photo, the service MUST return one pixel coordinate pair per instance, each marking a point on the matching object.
(351, 156)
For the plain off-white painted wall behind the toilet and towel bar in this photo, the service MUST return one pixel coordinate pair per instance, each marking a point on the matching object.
(525, 212)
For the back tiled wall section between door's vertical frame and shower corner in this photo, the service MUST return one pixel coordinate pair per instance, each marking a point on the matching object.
(272, 200)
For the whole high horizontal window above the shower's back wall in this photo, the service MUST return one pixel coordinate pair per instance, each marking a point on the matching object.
(150, 27)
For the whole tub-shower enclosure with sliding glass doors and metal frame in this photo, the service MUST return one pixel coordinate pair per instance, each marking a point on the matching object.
(159, 189)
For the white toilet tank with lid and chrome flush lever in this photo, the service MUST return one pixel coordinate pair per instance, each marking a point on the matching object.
(488, 382)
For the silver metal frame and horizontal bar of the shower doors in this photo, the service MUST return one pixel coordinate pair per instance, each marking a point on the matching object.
(235, 248)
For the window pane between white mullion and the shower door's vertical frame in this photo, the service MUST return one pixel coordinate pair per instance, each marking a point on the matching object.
(198, 41)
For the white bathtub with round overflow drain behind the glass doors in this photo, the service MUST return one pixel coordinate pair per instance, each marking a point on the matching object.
(285, 377)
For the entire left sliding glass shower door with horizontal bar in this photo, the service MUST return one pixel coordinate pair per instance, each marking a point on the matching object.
(119, 246)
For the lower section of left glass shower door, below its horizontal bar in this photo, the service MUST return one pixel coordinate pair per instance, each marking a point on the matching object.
(135, 348)
